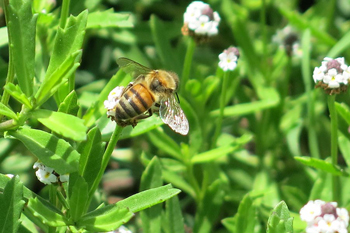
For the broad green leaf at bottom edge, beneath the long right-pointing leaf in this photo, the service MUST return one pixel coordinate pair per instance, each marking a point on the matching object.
(107, 218)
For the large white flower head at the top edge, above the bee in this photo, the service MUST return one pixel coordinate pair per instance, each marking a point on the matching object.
(200, 21)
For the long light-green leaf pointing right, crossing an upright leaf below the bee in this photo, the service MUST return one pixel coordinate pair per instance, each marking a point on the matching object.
(148, 198)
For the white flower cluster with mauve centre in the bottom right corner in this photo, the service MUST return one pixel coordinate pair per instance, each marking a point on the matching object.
(324, 217)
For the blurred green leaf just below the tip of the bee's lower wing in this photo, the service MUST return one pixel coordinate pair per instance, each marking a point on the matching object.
(162, 140)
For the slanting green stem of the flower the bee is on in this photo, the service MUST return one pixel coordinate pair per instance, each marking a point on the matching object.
(105, 159)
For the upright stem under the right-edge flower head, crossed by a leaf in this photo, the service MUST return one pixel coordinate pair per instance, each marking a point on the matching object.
(334, 145)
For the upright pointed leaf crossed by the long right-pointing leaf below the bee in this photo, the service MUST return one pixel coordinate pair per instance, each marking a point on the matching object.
(152, 178)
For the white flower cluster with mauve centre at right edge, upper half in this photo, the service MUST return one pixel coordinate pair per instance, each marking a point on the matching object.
(333, 75)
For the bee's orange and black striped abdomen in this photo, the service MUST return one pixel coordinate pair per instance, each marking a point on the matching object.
(134, 102)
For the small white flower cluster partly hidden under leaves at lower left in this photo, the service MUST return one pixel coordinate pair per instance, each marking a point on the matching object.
(47, 175)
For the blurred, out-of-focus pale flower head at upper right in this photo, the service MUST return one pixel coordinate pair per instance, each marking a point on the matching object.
(288, 39)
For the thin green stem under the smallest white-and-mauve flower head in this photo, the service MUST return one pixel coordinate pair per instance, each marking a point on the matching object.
(222, 108)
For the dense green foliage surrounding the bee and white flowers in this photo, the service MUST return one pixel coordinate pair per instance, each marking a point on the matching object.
(261, 142)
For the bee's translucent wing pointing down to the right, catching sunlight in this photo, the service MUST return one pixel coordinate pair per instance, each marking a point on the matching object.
(171, 114)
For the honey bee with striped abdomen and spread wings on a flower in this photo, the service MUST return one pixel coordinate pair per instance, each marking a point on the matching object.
(151, 91)
